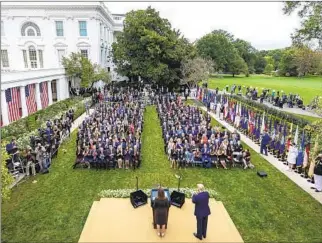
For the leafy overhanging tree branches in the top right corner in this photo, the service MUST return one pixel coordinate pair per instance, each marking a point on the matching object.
(311, 25)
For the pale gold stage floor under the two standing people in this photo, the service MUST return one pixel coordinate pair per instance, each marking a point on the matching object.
(115, 220)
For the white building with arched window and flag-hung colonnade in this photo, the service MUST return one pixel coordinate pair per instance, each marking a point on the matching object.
(34, 38)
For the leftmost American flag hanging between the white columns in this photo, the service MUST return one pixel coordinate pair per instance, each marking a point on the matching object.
(13, 103)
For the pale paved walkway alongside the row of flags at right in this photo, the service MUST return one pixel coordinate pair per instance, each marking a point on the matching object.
(295, 177)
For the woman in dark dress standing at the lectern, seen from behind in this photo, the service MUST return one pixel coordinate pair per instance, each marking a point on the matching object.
(161, 208)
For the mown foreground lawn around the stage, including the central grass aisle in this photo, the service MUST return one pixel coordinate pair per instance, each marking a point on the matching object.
(56, 207)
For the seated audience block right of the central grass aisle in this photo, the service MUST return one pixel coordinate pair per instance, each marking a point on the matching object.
(190, 139)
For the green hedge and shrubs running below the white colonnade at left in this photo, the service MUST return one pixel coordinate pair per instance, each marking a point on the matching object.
(34, 121)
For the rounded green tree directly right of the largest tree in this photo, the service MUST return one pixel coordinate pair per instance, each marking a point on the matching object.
(218, 47)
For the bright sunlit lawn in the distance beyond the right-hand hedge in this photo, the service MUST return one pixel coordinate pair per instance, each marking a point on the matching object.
(307, 87)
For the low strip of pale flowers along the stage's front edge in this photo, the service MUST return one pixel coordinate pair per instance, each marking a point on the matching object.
(125, 193)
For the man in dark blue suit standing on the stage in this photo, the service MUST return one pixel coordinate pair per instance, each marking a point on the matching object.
(202, 210)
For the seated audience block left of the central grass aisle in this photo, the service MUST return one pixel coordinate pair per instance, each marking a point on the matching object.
(110, 137)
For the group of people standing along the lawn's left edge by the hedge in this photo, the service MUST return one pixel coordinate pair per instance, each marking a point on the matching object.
(36, 158)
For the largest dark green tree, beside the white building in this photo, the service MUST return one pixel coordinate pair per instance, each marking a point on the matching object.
(148, 47)
